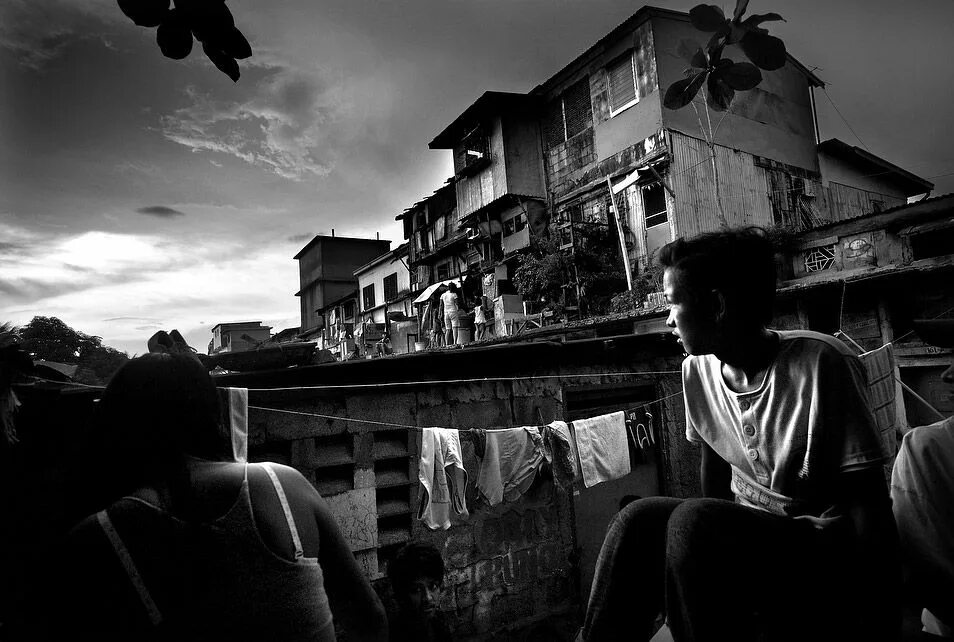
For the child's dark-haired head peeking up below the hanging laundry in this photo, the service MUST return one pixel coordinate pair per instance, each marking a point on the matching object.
(416, 574)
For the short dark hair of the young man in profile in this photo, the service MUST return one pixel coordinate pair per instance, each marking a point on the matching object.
(739, 263)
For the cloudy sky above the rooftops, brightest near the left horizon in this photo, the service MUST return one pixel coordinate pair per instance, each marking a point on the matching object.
(139, 193)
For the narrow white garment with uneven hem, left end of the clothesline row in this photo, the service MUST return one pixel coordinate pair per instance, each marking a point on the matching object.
(442, 476)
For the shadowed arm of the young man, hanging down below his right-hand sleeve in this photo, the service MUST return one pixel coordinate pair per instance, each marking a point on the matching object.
(863, 497)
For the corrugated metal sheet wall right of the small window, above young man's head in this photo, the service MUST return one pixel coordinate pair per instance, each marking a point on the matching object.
(743, 186)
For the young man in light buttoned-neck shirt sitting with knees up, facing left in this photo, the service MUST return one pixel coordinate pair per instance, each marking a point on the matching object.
(794, 538)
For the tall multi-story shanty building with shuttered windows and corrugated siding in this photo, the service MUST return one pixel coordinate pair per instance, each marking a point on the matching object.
(552, 154)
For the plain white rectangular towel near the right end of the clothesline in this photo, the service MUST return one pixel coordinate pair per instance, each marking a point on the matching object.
(602, 447)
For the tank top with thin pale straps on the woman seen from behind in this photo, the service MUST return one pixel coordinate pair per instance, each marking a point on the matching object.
(218, 579)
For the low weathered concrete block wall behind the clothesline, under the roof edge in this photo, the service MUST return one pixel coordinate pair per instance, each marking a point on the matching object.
(511, 567)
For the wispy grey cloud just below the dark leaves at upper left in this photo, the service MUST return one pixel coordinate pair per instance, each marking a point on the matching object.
(284, 126)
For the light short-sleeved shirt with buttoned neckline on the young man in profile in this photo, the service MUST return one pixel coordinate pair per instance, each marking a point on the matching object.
(787, 440)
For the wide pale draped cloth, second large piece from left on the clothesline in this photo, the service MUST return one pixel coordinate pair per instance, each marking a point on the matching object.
(510, 463)
